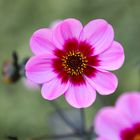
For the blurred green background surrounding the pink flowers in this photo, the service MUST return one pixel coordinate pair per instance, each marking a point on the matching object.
(23, 112)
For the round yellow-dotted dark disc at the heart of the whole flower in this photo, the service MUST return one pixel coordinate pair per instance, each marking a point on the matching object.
(74, 63)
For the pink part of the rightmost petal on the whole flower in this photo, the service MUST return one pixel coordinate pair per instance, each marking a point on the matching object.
(112, 58)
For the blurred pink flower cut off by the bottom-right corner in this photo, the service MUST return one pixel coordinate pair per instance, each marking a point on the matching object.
(121, 122)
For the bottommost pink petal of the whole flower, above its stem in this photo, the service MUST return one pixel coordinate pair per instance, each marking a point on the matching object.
(80, 96)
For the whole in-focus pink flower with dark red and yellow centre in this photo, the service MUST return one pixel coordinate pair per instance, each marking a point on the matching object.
(73, 60)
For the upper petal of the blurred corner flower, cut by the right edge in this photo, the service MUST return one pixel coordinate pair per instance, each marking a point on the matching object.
(129, 104)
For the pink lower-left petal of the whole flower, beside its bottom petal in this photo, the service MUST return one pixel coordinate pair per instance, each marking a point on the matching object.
(54, 89)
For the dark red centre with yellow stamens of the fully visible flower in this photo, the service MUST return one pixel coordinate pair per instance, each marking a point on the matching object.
(75, 61)
